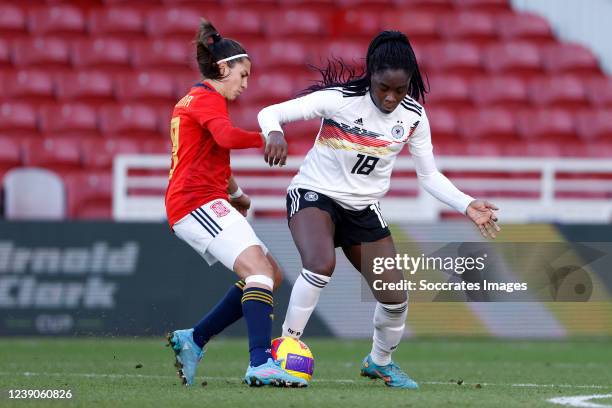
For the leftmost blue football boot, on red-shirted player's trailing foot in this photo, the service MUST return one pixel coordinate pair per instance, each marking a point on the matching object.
(187, 353)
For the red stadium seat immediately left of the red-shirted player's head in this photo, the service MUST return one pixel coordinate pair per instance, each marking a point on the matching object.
(175, 56)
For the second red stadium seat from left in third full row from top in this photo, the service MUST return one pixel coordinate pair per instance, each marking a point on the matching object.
(85, 86)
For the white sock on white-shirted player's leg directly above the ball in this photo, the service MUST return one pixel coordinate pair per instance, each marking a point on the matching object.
(304, 297)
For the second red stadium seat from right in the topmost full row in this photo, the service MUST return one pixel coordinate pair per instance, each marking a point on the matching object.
(468, 26)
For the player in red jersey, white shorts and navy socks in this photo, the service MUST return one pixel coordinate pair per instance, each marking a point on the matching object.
(200, 214)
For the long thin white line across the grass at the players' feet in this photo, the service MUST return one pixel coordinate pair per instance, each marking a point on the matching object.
(338, 380)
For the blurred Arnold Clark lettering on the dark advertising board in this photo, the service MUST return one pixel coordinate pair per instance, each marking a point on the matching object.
(63, 277)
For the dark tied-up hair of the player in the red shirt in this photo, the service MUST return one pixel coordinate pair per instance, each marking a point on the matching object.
(212, 47)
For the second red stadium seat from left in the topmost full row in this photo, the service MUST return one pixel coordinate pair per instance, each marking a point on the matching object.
(55, 20)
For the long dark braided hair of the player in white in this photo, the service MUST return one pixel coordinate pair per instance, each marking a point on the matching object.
(388, 50)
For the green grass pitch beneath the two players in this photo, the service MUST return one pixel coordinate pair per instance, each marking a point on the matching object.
(139, 372)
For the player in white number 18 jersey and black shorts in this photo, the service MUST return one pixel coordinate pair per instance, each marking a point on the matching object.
(333, 200)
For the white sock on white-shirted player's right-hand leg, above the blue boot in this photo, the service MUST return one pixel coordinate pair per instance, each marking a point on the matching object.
(389, 323)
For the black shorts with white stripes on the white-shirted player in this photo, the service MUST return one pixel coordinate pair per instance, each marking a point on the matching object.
(352, 227)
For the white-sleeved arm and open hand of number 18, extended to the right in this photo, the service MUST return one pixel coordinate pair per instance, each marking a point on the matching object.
(435, 183)
